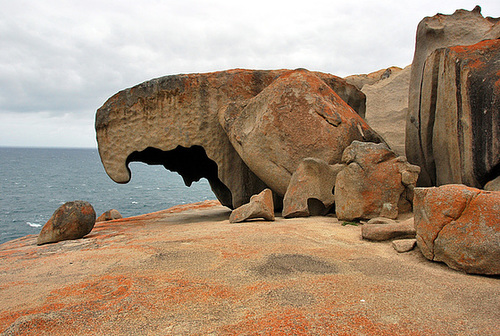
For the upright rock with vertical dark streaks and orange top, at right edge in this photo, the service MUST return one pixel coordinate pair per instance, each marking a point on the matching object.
(460, 99)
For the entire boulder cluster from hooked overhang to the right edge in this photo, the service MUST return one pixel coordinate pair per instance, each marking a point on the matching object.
(309, 143)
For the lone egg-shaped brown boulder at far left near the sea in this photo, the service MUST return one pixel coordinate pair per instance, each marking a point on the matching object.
(72, 220)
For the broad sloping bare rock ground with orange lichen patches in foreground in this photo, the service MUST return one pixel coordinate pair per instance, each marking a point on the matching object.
(188, 271)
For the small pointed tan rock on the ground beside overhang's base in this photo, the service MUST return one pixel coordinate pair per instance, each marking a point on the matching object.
(260, 206)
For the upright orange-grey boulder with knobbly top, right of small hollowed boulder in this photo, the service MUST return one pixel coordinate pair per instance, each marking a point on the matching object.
(375, 183)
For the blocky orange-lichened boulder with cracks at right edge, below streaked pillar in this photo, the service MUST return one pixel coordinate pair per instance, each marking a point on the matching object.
(460, 226)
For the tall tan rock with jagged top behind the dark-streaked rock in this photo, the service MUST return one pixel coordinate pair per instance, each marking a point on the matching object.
(439, 31)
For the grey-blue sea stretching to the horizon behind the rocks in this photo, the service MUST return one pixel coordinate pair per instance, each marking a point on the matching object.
(34, 182)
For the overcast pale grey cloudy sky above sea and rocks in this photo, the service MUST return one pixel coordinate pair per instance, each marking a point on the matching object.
(61, 60)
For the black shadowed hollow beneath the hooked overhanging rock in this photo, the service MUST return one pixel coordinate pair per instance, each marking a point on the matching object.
(192, 163)
